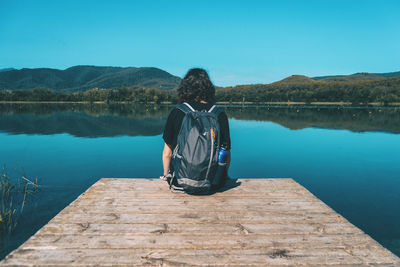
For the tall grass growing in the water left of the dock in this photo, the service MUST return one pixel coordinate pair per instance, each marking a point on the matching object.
(14, 196)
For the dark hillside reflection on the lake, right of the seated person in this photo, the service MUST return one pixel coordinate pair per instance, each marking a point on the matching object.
(347, 118)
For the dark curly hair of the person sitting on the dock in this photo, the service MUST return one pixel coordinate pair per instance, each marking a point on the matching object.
(196, 86)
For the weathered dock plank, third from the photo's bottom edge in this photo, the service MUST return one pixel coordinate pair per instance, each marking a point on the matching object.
(197, 229)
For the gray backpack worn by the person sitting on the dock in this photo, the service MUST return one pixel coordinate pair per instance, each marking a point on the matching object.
(195, 157)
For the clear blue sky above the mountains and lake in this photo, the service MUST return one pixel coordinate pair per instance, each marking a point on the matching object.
(238, 42)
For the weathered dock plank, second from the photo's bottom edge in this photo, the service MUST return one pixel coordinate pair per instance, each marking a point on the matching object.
(187, 241)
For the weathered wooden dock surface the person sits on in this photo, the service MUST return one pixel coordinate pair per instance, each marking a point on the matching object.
(263, 222)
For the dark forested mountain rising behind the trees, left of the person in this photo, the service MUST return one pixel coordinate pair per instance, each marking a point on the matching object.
(81, 78)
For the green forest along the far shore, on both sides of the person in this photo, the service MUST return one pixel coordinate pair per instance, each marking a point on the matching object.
(292, 89)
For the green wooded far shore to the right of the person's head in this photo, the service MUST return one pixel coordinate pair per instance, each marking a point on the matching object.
(308, 90)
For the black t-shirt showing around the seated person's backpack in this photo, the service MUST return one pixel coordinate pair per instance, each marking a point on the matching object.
(175, 119)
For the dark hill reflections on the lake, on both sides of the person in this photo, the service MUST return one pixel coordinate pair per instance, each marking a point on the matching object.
(101, 120)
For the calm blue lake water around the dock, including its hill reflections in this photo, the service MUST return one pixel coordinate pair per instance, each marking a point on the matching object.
(349, 158)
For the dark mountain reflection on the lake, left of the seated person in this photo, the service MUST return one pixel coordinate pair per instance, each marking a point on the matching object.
(83, 120)
